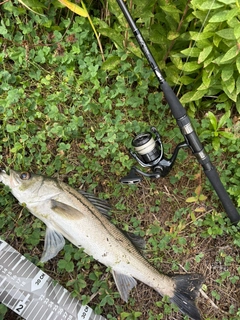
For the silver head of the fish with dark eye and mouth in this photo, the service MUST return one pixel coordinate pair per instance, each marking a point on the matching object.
(23, 185)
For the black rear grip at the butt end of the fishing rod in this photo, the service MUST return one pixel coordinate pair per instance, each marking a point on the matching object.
(223, 195)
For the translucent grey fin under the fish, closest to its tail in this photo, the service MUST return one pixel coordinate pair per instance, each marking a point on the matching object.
(124, 284)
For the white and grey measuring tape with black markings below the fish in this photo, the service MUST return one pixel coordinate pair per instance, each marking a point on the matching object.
(32, 294)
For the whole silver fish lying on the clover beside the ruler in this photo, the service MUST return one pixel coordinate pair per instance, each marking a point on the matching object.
(81, 218)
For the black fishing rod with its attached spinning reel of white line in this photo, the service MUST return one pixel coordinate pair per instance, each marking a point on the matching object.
(150, 153)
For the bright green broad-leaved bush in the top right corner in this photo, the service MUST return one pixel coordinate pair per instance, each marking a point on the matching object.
(216, 50)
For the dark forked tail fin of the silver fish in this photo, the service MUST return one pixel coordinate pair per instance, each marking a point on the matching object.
(187, 287)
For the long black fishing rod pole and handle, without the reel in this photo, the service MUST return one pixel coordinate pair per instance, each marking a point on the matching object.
(184, 123)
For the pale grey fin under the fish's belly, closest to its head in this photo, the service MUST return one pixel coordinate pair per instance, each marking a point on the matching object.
(54, 242)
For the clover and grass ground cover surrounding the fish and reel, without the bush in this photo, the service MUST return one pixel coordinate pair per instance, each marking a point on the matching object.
(64, 113)
